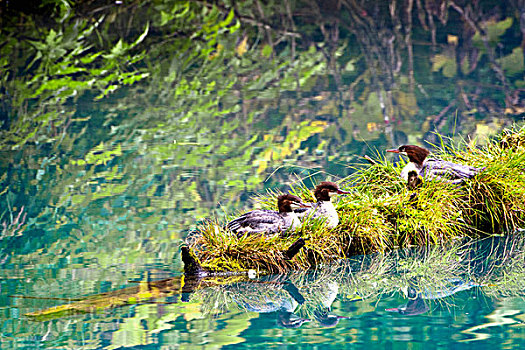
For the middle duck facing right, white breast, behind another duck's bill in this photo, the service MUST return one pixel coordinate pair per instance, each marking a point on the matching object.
(323, 208)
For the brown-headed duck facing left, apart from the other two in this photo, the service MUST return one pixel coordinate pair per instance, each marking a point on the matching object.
(432, 168)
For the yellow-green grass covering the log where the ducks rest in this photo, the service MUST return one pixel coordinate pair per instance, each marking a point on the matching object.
(382, 214)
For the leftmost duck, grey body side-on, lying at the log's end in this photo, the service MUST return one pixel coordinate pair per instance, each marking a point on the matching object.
(268, 221)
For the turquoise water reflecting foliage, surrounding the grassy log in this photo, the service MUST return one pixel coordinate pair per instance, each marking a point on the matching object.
(106, 166)
